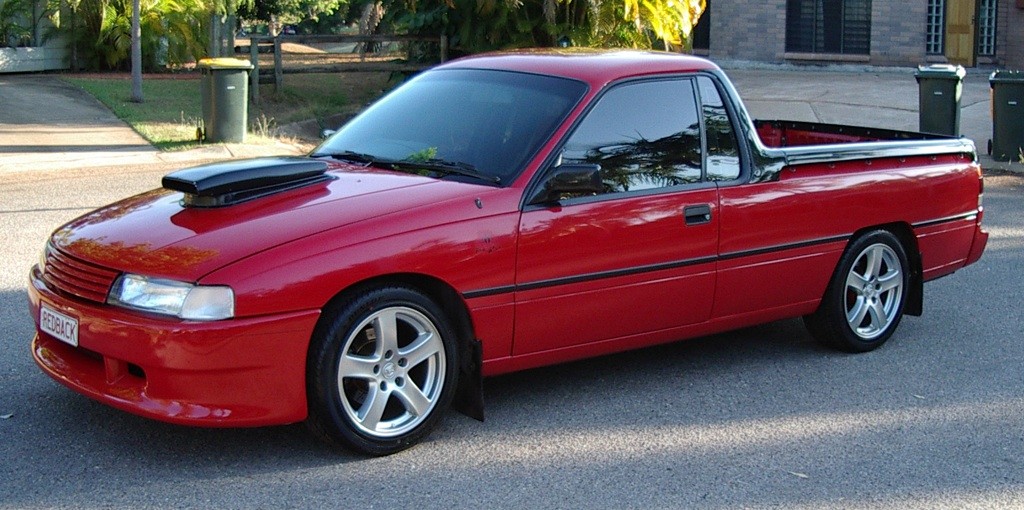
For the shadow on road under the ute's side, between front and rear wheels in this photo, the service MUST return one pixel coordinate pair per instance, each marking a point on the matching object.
(654, 379)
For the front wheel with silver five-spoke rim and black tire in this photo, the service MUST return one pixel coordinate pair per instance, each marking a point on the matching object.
(382, 369)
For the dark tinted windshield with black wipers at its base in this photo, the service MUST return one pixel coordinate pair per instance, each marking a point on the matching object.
(490, 121)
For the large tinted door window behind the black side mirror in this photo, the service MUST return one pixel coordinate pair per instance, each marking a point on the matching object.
(645, 136)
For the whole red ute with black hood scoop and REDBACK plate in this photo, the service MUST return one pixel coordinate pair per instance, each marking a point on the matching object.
(494, 215)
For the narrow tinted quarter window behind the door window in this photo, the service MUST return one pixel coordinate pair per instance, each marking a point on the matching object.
(723, 152)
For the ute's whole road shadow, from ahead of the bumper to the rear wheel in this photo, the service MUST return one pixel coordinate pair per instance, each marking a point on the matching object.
(47, 413)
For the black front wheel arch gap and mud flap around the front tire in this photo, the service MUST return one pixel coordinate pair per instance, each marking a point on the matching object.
(470, 394)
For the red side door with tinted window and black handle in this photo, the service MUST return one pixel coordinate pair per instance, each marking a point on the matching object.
(641, 257)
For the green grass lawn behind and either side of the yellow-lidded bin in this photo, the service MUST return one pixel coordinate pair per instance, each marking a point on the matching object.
(173, 109)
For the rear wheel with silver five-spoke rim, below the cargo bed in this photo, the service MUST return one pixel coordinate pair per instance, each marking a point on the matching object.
(865, 302)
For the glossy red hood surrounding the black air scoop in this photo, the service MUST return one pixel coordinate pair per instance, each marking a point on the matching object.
(155, 235)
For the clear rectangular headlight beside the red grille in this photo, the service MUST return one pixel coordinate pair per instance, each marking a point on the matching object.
(183, 301)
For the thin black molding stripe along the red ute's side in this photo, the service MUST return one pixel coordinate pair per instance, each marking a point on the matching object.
(682, 264)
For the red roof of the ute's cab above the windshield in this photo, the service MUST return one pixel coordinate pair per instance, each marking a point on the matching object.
(593, 66)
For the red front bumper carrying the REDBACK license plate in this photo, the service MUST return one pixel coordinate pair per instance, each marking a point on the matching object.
(244, 372)
